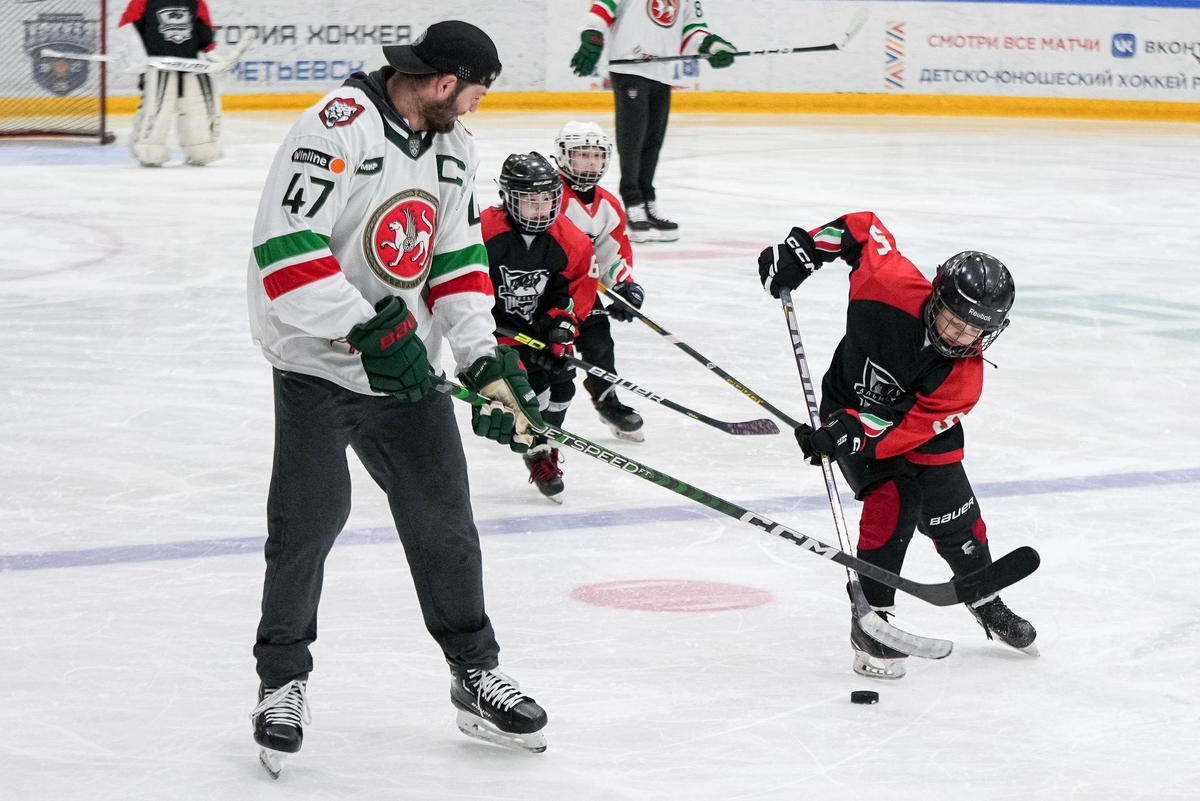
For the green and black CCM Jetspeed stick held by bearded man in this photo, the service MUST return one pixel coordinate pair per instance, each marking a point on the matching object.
(1007, 570)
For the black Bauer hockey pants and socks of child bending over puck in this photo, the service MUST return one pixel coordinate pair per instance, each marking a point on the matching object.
(899, 498)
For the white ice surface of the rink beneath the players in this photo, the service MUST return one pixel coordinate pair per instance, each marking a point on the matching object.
(136, 417)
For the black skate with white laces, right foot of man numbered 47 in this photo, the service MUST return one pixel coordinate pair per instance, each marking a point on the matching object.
(493, 708)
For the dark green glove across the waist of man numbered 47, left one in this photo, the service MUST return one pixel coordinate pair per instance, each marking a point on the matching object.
(393, 356)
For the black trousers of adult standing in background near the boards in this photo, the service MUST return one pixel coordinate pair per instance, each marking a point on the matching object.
(644, 109)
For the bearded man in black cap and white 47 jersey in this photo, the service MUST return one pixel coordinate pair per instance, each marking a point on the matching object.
(368, 255)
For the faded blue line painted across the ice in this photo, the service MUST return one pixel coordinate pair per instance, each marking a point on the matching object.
(567, 522)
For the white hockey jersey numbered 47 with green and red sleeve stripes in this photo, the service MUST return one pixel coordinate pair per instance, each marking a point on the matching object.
(357, 208)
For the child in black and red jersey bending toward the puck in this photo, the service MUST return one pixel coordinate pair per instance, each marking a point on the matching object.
(907, 372)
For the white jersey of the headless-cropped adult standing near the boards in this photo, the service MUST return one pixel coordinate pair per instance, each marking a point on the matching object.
(635, 29)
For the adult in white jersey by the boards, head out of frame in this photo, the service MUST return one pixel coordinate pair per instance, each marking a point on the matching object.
(638, 29)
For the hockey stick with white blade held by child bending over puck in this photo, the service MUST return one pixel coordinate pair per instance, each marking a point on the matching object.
(879, 629)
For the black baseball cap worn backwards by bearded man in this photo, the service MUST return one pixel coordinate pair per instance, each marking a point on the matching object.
(453, 47)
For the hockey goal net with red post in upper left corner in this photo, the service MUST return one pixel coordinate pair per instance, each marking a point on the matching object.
(49, 95)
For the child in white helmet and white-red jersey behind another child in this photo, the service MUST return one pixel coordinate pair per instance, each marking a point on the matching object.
(583, 153)
